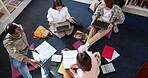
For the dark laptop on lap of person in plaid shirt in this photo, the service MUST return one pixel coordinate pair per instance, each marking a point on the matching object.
(100, 24)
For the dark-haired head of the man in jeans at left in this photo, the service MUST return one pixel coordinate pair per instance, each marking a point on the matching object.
(14, 29)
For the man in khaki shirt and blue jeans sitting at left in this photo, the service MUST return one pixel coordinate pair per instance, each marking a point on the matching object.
(20, 53)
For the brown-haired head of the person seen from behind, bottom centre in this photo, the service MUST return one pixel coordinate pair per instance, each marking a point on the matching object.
(84, 61)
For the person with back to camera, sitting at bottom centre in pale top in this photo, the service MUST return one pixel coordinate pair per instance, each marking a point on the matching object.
(88, 66)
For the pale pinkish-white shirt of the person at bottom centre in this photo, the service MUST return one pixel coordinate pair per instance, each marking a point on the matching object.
(93, 73)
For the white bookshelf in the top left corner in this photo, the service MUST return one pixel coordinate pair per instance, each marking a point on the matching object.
(9, 10)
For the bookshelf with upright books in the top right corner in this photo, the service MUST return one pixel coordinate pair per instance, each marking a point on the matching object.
(139, 7)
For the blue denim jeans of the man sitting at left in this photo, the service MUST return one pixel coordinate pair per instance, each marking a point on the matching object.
(23, 69)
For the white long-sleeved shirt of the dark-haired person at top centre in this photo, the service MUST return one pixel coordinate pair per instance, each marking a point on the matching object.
(58, 16)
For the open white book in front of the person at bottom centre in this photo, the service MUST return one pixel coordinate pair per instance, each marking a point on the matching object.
(69, 57)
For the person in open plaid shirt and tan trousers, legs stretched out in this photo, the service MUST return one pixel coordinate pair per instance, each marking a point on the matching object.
(109, 12)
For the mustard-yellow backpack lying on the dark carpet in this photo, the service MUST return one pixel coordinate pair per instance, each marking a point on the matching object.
(41, 32)
